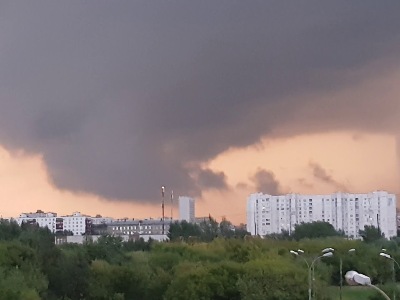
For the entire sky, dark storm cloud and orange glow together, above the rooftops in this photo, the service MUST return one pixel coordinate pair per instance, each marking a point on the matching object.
(103, 103)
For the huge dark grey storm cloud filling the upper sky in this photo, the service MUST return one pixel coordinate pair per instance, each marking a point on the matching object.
(122, 97)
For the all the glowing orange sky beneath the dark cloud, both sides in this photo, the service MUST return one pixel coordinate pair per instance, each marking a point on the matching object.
(362, 162)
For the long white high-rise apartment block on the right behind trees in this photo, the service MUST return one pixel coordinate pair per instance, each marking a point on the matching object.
(267, 214)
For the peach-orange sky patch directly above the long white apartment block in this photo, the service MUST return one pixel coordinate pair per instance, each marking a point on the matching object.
(362, 162)
